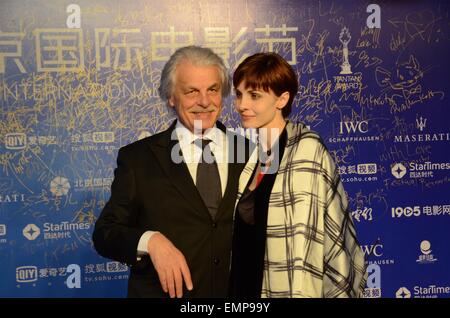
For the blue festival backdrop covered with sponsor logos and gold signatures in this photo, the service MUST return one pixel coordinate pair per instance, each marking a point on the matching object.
(79, 79)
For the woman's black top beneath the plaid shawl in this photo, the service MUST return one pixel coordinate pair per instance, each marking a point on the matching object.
(249, 235)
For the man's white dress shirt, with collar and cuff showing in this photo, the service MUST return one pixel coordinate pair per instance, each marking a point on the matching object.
(191, 156)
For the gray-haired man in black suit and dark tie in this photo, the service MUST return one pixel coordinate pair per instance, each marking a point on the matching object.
(172, 199)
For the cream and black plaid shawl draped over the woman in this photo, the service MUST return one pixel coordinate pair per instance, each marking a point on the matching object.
(311, 245)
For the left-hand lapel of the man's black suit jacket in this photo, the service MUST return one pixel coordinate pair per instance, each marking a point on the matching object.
(177, 173)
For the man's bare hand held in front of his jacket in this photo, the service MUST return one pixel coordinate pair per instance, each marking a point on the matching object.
(170, 264)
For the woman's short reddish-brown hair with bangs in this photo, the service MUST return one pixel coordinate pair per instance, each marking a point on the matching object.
(268, 71)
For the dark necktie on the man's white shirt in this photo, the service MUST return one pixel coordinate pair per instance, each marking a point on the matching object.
(208, 178)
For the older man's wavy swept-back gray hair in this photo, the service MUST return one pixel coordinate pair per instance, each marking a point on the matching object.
(198, 56)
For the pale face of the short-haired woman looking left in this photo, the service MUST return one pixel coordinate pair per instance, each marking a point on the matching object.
(258, 108)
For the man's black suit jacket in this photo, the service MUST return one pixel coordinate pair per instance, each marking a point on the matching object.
(151, 192)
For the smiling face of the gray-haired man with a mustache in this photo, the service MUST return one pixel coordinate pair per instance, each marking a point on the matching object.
(197, 94)
